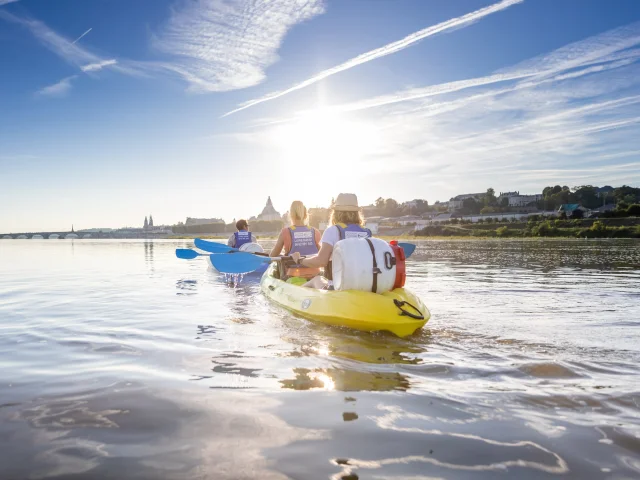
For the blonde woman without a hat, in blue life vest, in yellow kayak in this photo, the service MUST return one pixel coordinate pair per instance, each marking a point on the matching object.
(298, 238)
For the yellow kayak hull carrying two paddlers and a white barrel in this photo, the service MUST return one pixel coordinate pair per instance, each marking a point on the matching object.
(398, 311)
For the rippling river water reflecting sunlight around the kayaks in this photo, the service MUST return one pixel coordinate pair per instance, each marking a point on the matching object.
(117, 360)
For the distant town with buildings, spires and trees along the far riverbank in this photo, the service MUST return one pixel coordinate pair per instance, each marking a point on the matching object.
(387, 216)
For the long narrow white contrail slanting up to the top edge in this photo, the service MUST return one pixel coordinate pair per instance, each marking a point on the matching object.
(388, 49)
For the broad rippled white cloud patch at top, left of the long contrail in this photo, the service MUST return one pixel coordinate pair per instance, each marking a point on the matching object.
(227, 45)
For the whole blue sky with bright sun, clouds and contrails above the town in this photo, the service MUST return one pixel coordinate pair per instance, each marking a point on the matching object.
(113, 110)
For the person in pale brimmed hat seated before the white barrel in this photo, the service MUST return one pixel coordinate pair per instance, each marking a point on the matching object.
(346, 222)
